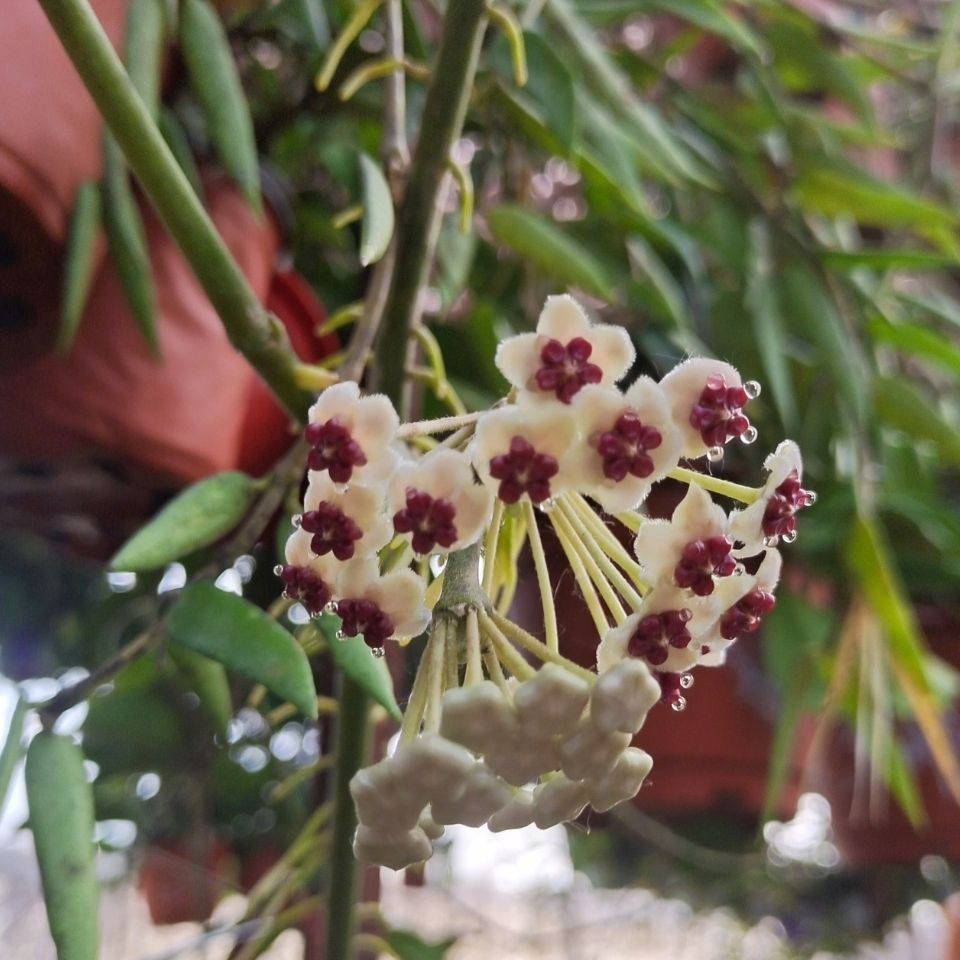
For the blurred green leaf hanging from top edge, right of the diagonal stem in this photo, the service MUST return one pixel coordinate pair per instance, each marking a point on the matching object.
(215, 82)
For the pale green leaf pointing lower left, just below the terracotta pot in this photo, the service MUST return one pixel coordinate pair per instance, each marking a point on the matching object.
(199, 516)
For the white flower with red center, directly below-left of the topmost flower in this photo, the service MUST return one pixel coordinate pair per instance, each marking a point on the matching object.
(525, 452)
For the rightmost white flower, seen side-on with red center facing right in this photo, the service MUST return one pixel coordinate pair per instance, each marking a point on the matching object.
(772, 517)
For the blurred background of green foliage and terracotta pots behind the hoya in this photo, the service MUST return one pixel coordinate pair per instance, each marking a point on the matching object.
(773, 183)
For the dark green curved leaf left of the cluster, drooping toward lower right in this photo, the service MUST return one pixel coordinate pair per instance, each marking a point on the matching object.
(243, 638)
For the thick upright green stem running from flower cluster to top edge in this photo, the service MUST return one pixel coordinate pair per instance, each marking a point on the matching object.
(418, 219)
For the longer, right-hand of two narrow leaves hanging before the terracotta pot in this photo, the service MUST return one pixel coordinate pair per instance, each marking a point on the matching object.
(127, 243)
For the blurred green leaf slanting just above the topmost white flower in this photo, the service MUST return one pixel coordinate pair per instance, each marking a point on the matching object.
(541, 242)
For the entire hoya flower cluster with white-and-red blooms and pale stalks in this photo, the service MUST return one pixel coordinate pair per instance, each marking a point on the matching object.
(501, 728)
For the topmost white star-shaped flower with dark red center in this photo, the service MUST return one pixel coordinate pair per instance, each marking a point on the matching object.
(565, 354)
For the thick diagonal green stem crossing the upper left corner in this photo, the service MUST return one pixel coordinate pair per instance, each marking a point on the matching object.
(252, 330)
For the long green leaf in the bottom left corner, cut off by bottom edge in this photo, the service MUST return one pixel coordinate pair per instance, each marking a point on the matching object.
(61, 817)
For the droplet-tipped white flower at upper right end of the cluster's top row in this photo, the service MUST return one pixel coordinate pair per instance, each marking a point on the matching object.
(706, 399)
